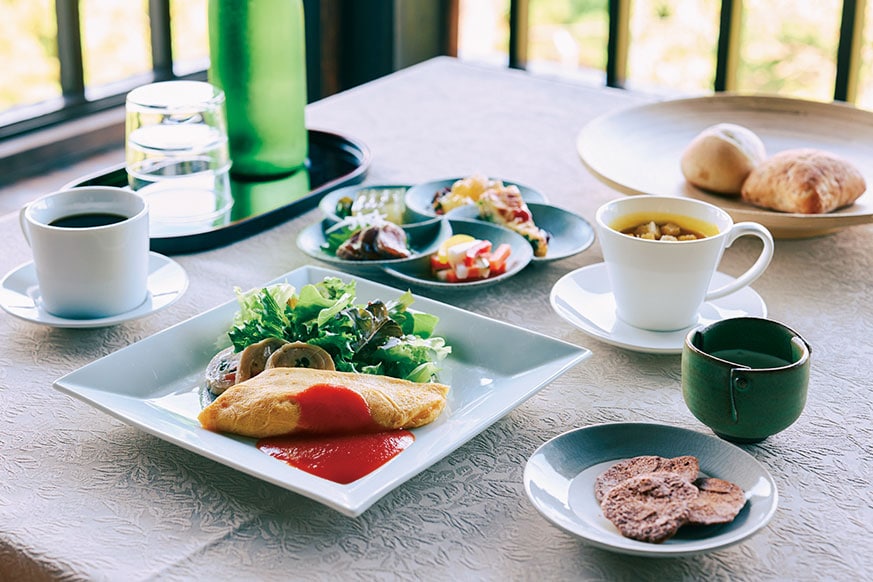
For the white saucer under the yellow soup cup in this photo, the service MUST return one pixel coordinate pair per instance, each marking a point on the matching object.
(584, 298)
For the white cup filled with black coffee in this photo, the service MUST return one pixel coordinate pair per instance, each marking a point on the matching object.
(92, 271)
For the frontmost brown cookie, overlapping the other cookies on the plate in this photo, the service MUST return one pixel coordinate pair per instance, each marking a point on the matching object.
(650, 507)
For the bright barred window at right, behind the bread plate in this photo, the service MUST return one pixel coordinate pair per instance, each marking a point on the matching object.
(795, 48)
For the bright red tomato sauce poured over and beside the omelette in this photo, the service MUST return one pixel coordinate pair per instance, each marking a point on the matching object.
(342, 443)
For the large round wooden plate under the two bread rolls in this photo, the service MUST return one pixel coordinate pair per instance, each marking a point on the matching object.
(637, 150)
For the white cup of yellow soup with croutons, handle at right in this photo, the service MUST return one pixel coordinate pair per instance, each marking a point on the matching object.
(661, 285)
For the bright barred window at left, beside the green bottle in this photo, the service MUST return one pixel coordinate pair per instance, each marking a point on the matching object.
(72, 57)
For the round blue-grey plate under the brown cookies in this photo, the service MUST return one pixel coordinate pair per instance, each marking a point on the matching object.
(559, 480)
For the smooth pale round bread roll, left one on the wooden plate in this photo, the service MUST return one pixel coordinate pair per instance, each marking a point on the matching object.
(721, 157)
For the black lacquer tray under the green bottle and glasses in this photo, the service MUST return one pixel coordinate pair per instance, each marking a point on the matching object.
(334, 161)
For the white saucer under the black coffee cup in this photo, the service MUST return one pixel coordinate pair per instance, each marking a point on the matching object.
(19, 295)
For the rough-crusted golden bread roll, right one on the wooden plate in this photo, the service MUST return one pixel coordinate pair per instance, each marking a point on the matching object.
(805, 181)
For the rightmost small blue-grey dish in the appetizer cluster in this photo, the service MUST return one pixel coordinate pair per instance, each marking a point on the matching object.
(570, 233)
